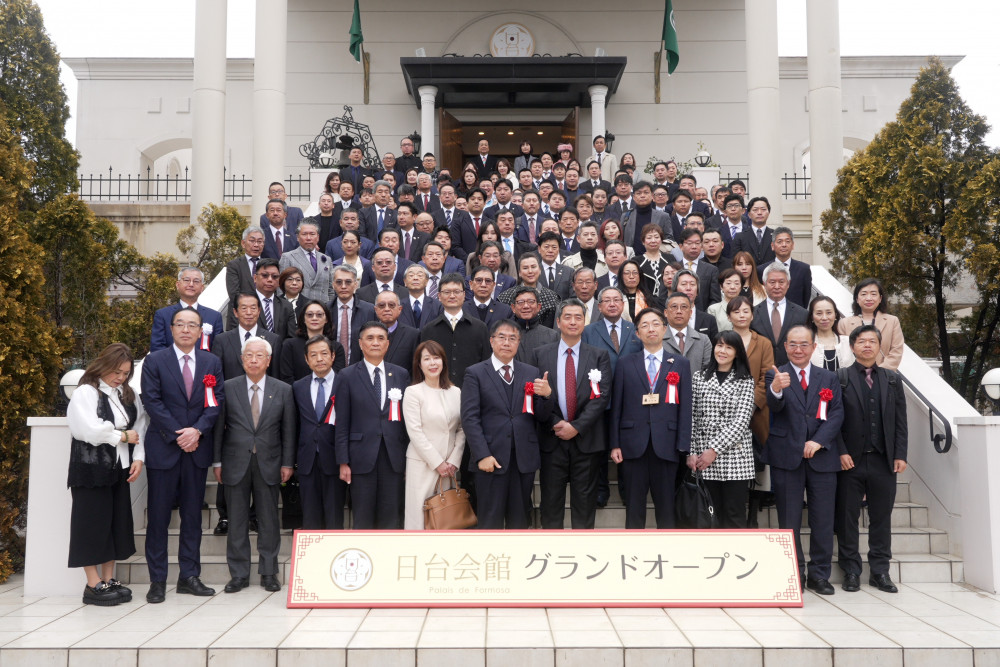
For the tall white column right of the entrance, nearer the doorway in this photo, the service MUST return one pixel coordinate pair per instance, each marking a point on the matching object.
(763, 102)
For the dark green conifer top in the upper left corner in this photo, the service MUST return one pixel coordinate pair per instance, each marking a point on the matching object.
(35, 102)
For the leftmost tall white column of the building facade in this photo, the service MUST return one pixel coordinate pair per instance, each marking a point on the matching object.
(208, 132)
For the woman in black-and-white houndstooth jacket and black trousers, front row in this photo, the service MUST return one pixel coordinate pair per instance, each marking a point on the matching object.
(720, 440)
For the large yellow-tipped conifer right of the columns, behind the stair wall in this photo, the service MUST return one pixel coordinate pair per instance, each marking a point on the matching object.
(894, 211)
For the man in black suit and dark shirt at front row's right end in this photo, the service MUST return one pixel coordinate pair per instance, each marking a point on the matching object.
(874, 435)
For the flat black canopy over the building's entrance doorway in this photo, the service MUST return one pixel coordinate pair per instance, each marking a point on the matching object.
(539, 82)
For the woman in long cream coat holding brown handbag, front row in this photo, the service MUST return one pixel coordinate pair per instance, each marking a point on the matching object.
(432, 414)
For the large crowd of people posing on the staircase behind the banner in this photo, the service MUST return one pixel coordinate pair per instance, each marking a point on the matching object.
(539, 315)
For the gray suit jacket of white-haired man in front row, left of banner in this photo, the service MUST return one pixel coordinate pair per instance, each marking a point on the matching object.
(273, 437)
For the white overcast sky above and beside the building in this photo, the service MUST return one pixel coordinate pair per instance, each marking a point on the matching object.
(138, 28)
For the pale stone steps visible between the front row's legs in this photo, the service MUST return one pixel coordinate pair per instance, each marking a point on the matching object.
(920, 553)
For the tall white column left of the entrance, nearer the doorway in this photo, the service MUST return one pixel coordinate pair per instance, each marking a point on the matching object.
(269, 99)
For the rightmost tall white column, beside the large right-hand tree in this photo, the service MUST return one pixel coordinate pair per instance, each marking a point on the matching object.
(826, 131)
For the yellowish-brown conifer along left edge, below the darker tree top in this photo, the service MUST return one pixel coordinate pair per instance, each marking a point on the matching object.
(30, 349)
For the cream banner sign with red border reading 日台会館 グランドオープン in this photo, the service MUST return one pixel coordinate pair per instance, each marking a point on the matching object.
(544, 568)
